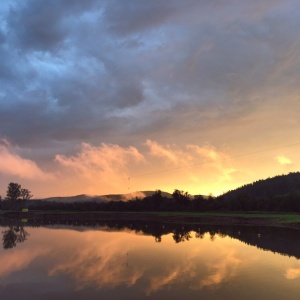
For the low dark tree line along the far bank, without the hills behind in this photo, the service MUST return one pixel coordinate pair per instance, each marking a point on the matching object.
(180, 201)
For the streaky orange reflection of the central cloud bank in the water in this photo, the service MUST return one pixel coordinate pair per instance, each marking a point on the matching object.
(104, 264)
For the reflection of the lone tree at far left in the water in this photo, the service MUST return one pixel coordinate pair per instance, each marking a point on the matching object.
(14, 235)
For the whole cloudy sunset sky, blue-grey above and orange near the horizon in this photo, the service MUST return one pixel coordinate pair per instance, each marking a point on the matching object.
(110, 96)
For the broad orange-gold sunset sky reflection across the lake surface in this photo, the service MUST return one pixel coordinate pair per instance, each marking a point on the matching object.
(110, 261)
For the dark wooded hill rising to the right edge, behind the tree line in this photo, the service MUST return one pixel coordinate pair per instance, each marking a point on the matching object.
(281, 185)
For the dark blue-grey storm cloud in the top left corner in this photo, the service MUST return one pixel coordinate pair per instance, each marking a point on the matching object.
(40, 25)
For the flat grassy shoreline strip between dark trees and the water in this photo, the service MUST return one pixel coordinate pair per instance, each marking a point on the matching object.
(213, 218)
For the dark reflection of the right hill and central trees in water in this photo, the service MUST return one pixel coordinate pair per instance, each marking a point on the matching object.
(279, 240)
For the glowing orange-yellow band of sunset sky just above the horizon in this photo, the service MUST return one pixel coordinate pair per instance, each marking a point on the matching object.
(197, 169)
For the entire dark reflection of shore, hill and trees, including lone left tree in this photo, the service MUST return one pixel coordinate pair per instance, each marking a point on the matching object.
(280, 240)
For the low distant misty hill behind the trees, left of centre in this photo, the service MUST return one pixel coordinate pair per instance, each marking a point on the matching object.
(104, 198)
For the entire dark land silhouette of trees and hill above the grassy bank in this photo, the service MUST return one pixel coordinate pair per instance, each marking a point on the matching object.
(278, 194)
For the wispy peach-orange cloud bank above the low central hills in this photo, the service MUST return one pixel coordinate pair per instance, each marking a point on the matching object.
(109, 167)
